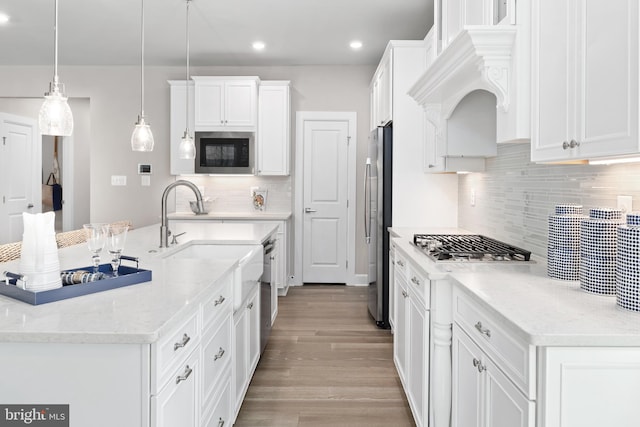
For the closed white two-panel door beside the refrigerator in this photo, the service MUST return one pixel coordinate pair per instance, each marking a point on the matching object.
(325, 175)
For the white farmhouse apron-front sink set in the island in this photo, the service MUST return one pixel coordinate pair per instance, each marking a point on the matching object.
(250, 261)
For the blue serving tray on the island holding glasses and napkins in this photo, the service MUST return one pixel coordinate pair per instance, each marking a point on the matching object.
(127, 276)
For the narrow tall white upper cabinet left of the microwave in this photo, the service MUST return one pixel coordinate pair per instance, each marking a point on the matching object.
(178, 123)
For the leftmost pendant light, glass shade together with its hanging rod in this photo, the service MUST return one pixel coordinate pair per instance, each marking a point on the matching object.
(55, 117)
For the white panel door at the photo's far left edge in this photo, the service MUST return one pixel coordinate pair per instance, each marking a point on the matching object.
(20, 164)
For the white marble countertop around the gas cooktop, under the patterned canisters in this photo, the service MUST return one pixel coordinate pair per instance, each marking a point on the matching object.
(544, 311)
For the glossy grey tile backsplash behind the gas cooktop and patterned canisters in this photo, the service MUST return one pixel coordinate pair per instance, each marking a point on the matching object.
(514, 197)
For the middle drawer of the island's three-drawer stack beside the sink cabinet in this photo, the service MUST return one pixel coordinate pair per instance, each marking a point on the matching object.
(216, 354)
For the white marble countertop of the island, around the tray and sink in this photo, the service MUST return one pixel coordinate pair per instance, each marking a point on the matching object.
(133, 314)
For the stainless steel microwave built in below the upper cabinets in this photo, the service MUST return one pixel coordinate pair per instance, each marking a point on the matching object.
(225, 152)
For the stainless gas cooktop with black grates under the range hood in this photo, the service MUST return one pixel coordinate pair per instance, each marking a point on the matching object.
(468, 247)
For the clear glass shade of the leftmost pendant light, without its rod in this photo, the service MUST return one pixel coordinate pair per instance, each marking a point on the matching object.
(55, 116)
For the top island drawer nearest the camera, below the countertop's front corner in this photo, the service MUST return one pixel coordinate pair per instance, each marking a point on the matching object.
(173, 349)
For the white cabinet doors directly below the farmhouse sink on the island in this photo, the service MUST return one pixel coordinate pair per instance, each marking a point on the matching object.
(246, 322)
